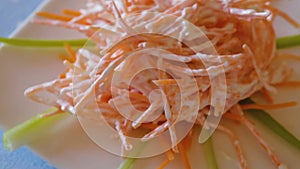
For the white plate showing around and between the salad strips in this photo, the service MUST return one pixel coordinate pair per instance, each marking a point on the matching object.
(70, 148)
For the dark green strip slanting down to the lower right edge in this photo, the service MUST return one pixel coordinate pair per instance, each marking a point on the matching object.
(267, 120)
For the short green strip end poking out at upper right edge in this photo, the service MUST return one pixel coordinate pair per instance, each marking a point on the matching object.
(288, 41)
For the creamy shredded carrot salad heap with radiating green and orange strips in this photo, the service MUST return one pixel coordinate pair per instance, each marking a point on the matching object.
(154, 68)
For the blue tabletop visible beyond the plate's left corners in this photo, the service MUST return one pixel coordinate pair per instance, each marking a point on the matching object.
(12, 14)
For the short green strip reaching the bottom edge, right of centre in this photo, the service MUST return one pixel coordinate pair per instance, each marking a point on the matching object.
(210, 154)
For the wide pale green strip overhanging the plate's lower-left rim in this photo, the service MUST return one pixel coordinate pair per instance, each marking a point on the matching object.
(32, 129)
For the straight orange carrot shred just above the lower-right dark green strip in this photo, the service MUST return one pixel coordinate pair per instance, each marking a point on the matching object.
(269, 107)
